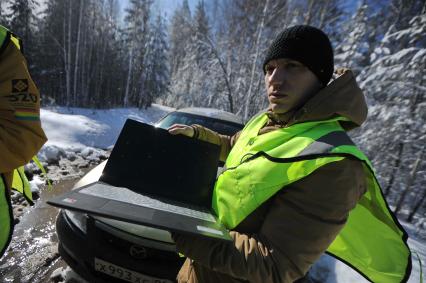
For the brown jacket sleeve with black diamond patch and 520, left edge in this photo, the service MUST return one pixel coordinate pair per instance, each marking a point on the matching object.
(21, 135)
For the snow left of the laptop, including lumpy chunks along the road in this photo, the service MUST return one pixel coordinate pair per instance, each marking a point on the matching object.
(78, 138)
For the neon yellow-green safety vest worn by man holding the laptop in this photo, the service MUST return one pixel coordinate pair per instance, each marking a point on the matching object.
(258, 166)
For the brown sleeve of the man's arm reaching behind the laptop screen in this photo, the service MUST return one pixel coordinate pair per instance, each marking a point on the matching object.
(225, 142)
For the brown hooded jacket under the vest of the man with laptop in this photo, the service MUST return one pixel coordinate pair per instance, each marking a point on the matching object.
(282, 238)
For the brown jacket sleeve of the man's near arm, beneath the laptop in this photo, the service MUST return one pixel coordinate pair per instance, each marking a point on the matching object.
(301, 222)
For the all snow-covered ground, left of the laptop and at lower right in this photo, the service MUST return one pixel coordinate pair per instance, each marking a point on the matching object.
(77, 135)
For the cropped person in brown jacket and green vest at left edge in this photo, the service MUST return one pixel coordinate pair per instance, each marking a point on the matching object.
(21, 134)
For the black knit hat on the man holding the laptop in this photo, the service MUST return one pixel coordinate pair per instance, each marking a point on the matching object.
(307, 45)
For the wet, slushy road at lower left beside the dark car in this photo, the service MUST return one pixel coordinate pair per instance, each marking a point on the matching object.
(32, 255)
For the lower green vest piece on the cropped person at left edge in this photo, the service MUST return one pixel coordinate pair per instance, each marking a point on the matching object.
(6, 217)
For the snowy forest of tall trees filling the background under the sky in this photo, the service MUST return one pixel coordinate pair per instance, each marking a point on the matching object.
(84, 53)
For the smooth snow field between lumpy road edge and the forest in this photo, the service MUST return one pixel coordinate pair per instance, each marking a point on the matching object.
(77, 128)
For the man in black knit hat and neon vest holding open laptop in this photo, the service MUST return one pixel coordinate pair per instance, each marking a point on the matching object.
(295, 185)
